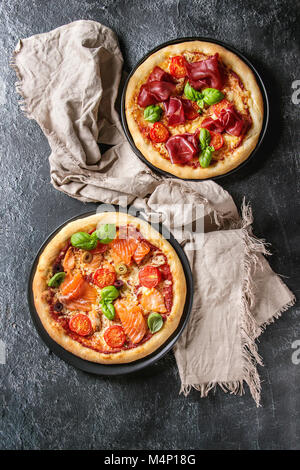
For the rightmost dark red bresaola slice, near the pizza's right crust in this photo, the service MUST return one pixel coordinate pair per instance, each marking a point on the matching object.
(229, 121)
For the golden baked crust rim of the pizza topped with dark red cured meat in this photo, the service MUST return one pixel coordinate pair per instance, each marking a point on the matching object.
(255, 104)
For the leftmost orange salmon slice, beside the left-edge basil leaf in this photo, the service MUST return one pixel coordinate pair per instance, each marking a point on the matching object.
(78, 294)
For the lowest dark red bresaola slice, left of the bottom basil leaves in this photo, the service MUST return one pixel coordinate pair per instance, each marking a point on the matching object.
(182, 148)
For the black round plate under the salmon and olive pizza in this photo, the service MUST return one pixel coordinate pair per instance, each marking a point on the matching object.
(114, 369)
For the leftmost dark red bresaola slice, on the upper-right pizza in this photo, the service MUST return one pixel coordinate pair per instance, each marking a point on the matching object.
(159, 87)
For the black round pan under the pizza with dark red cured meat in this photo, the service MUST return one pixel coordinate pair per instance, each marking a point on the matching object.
(242, 57)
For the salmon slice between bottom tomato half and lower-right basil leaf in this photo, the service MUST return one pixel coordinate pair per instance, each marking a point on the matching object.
(132, 319)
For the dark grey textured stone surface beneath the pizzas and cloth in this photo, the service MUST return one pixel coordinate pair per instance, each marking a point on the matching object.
(44, 402)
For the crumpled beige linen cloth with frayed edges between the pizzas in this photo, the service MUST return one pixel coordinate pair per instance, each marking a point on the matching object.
(69, 79)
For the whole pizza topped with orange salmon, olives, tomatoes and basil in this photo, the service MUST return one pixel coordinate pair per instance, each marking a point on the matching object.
(109, 288)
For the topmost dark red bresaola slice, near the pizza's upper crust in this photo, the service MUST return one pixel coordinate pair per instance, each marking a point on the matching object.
(205, 73)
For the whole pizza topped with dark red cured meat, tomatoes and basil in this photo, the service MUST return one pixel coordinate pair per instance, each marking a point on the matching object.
(194, 109)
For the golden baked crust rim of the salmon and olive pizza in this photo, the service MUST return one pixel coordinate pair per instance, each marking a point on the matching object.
(58, 334)
